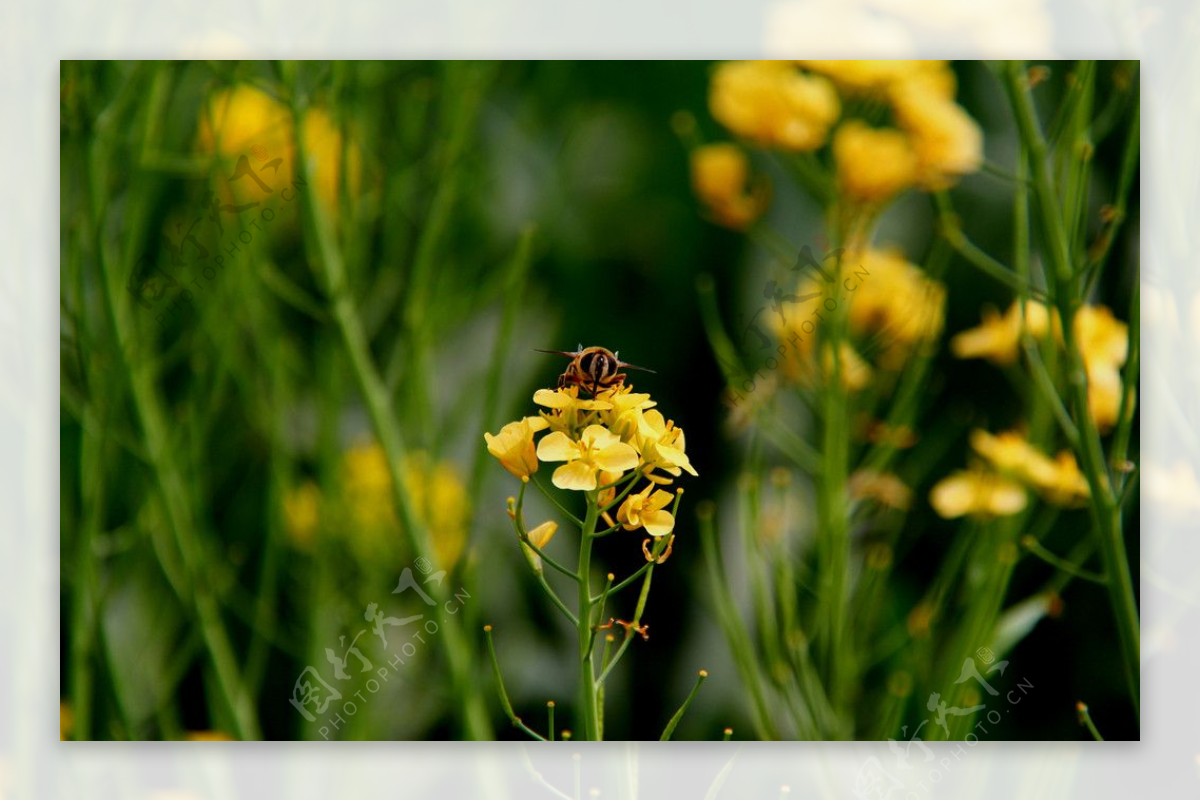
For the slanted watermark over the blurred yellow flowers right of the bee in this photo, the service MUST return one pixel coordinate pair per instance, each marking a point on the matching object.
(761, 348)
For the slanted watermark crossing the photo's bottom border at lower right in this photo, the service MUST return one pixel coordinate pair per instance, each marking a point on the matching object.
(914, 775)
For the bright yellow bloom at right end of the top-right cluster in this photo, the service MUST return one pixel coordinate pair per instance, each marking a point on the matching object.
(947, 142)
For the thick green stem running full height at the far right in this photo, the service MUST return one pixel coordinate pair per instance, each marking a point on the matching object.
(1106, 513)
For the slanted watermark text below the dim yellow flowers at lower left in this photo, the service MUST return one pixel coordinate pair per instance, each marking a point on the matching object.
(356, 677)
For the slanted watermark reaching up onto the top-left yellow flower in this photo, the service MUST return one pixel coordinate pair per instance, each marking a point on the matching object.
(170, 287)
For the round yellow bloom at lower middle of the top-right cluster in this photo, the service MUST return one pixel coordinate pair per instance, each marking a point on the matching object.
(873, 165)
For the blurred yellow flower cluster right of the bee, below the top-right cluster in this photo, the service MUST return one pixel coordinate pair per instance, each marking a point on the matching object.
(895, 308)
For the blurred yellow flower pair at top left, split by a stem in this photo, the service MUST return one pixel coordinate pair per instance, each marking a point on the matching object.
(255, 134)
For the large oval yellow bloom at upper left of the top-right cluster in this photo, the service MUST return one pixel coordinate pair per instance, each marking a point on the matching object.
(775, 105)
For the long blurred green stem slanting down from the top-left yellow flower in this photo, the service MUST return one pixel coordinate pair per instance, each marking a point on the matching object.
(323, 251)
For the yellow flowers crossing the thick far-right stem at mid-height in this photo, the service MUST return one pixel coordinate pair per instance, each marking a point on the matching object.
(1103, 341)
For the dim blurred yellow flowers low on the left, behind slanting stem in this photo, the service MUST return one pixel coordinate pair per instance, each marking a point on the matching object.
(367, 503)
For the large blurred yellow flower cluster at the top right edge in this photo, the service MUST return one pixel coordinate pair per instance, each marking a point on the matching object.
(794, 106)
